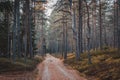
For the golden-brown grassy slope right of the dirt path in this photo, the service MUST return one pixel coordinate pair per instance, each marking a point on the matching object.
(105, 64)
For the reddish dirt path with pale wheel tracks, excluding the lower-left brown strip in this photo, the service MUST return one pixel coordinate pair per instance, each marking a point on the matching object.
(53, 69)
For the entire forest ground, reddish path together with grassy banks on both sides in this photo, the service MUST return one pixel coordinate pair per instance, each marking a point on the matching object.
(105, 66)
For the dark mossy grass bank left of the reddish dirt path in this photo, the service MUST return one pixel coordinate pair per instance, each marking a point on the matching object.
(7, 65)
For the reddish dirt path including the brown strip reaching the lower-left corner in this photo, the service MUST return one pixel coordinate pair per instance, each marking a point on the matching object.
(50, 69)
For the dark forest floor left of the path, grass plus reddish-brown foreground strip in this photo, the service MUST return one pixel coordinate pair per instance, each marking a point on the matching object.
(19, 70)
